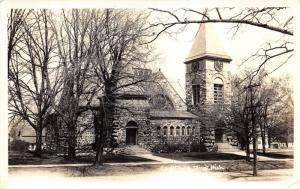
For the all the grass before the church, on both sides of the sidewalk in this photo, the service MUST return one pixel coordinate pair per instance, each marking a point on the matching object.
(215, 164)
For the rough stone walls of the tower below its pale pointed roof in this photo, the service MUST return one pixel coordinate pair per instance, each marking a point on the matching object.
(208, 112)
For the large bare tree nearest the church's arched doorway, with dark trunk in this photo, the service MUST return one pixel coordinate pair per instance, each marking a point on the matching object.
(120, 48)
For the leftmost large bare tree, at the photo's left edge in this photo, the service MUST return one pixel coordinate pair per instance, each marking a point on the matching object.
(31, 61)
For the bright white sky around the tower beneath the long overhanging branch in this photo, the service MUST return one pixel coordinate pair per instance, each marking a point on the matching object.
(246, 42)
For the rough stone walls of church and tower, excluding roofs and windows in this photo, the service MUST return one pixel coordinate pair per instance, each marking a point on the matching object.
(137, 109)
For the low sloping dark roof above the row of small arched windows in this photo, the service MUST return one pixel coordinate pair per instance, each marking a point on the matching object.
(172, 114)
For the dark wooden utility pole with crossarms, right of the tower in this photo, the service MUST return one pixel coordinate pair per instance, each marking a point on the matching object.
(252, 108)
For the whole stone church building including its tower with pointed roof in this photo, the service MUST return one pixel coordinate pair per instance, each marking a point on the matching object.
(159, 120)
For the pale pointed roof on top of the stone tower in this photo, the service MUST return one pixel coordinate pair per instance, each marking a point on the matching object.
(207, 45)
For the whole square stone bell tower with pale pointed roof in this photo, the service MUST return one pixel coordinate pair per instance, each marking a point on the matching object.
(208, 81)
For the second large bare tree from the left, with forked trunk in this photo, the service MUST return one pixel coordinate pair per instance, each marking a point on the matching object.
(73, 34)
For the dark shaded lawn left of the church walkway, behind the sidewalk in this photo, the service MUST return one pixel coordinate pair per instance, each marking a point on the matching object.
(31, 158)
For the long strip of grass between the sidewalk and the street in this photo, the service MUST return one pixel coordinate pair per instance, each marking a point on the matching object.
(121, 170)
